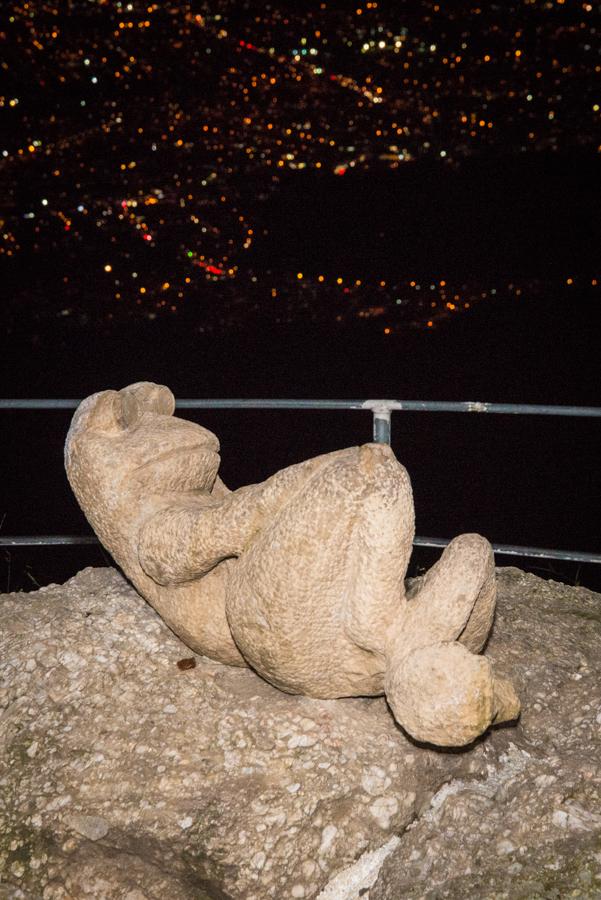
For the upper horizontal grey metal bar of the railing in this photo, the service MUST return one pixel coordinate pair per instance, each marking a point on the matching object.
(469, 406)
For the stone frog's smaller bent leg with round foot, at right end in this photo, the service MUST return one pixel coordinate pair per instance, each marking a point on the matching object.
(437, 689)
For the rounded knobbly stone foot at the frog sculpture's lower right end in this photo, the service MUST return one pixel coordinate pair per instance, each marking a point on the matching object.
(442, 694)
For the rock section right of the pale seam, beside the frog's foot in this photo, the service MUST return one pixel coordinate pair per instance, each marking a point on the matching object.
(531, 828)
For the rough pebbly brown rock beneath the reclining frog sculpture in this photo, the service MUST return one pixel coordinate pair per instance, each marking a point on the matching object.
(123, 775)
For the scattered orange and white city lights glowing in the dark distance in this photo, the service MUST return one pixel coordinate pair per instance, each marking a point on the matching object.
(144, 144)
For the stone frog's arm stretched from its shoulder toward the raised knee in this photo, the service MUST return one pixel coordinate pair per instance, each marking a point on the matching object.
(193, 535)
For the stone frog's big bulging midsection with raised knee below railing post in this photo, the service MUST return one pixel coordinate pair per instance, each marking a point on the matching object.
(319, 584)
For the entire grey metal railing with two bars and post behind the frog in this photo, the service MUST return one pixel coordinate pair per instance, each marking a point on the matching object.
(381, 411)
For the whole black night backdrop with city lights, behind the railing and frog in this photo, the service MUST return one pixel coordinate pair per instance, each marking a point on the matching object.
(369, 199)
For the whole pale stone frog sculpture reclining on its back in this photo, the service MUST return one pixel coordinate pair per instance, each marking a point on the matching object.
(300, 577)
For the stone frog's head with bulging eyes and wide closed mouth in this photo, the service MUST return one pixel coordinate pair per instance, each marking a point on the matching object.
(129, 441)
